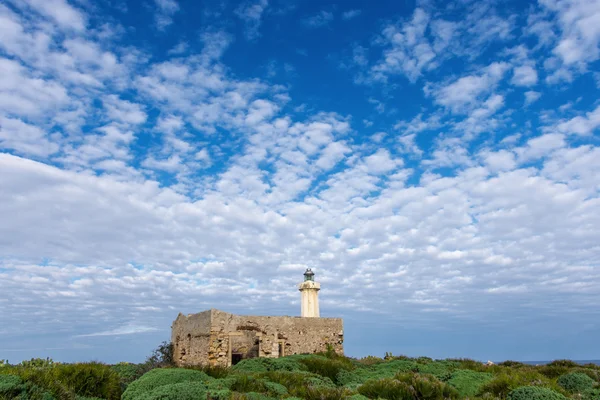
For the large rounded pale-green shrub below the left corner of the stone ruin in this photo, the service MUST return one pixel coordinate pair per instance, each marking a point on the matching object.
(162, 377)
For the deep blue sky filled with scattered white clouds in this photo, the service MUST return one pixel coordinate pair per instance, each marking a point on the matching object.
(436, 163)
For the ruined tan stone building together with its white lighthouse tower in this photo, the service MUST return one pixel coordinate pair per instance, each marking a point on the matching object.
(215, 337)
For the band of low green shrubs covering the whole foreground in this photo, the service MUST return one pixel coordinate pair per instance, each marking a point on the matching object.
(325, 376)
